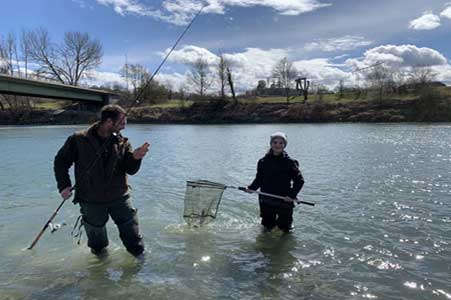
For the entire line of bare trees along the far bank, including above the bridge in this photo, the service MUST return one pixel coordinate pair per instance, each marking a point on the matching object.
(32, 54)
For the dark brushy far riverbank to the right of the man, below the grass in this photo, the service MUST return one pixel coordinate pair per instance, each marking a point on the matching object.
(223, 112)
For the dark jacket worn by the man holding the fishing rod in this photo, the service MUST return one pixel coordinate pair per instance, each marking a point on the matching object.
(107, 180)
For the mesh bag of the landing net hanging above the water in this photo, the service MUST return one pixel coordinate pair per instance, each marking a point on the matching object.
(202, 200)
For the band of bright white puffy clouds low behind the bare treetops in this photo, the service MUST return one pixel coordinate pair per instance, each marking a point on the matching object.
(255, 64)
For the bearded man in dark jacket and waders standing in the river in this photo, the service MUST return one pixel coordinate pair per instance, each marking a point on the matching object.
(102, 159)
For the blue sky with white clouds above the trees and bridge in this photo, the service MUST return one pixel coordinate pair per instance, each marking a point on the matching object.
(327, 40)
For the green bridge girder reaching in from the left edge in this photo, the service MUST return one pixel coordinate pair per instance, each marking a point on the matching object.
(41, 89)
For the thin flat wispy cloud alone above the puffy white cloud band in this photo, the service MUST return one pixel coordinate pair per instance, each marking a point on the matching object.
(347, 42)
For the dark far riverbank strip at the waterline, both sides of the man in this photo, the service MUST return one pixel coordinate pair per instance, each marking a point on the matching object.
(225, 112)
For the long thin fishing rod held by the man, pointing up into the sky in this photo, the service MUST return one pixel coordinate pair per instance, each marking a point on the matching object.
(104, 145)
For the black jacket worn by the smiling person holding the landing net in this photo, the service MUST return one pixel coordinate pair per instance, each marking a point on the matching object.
(279, 175)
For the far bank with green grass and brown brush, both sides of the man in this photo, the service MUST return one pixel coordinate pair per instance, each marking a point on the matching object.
(432, 105)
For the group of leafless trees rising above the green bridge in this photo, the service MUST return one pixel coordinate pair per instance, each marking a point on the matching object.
(33, 54)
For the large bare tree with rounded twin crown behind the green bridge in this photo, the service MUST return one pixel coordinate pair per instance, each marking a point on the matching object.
(68, 62)
